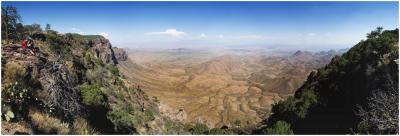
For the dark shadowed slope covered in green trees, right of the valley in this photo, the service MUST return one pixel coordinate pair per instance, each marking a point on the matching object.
(355, 93)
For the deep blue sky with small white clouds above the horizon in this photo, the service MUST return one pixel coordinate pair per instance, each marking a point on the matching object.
(308, 25)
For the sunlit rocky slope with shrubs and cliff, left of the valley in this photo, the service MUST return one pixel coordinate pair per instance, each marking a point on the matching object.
(71, 85)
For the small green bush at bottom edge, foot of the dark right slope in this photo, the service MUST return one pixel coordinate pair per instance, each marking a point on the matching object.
(280, 128)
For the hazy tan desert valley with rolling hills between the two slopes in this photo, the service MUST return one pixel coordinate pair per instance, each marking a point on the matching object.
(231, 87)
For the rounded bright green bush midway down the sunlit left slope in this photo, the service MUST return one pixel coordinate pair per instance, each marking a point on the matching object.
(92, 95)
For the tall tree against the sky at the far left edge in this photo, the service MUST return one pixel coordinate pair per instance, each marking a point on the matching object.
(10, 18)
